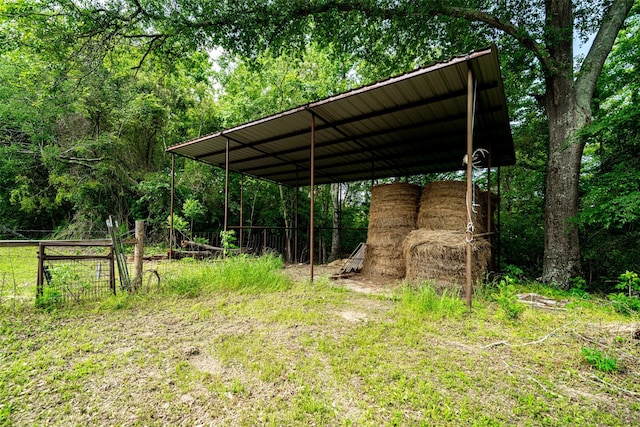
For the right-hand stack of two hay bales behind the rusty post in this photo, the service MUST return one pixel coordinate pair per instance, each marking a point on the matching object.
(436, 251)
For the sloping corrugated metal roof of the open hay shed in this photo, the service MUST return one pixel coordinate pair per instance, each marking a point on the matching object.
(406, 125)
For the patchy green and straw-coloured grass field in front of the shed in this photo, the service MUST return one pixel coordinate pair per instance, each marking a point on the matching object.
(239, 343)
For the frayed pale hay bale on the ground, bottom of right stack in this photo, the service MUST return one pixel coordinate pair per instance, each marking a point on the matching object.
(439, 256)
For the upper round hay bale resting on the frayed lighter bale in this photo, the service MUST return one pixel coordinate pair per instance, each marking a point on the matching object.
(443, 206)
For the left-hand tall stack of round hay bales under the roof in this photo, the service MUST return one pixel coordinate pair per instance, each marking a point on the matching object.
(392, 215)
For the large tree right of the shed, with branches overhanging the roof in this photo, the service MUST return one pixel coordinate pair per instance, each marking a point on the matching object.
(402, 33)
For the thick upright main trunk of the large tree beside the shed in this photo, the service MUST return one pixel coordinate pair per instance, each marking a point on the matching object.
(561, 240)
